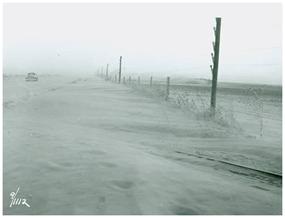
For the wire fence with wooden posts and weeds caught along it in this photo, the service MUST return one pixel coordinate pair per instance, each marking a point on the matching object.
(253, 108)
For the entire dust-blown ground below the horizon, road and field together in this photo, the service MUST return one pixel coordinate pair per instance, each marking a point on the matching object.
(89, 146)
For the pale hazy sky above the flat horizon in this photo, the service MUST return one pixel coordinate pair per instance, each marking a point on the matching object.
(161, 39)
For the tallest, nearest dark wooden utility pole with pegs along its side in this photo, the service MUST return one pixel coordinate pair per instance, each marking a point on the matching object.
(215, 66)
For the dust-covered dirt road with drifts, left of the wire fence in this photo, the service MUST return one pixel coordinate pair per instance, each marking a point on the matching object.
(91, 147)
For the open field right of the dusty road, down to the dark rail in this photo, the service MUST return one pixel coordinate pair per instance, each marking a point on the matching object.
(244, 111)
